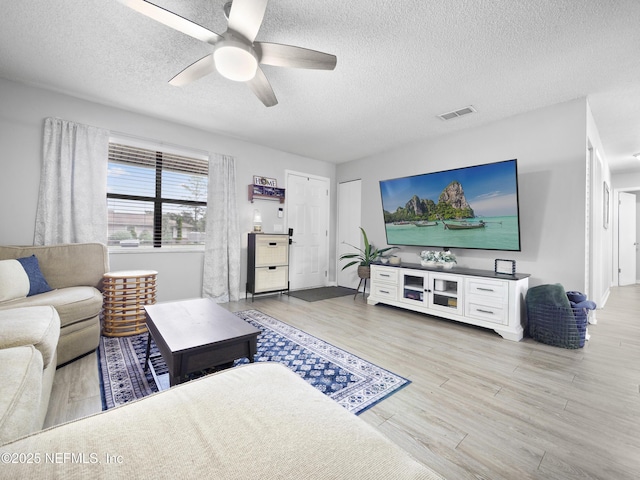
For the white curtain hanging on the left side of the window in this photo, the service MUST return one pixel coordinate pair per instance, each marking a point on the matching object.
(72, 202)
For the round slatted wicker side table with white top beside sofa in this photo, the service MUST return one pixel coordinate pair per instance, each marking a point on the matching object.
(125, 295)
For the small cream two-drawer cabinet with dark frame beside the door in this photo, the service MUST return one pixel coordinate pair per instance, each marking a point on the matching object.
(267, 263)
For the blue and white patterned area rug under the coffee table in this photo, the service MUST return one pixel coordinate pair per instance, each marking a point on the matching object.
(351, 381)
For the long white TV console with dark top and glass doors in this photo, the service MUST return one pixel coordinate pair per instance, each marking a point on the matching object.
(477, 297)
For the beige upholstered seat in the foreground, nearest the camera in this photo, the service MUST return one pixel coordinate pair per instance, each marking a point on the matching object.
(259, 421)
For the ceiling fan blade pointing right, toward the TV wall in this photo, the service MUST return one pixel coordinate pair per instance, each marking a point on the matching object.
(280, 55)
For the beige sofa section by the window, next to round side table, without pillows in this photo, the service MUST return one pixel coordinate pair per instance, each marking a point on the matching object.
(74, 272)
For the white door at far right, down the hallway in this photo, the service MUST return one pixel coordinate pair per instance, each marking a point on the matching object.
(627, 239)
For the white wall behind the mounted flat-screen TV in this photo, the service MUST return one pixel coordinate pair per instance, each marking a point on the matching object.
(550, 145)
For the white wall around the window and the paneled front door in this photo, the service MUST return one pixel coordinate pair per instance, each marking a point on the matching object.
(22, 112)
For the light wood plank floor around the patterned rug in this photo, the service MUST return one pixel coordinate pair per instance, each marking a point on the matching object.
(478, 407)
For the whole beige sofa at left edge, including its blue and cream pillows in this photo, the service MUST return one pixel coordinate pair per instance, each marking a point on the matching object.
(40, 331)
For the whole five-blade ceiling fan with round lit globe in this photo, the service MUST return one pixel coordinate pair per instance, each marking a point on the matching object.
(236, 55)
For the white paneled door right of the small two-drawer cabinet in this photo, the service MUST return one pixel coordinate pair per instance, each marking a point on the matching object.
(307, 201)
